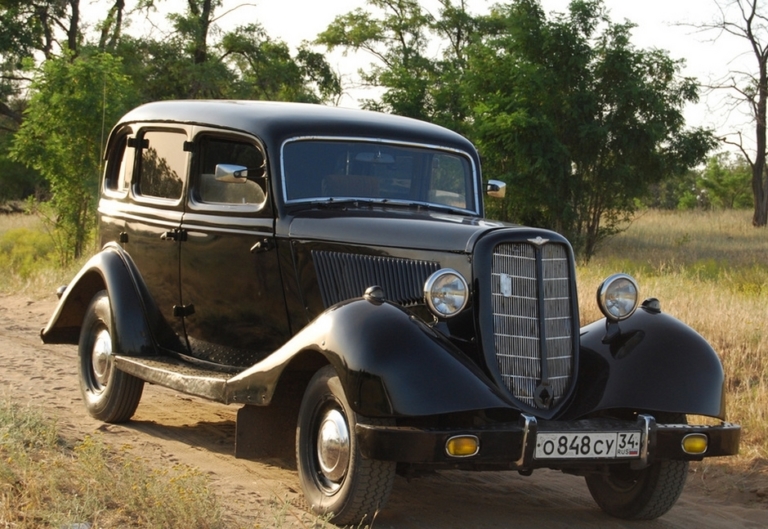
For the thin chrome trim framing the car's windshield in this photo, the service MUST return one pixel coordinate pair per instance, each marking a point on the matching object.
(358, 139)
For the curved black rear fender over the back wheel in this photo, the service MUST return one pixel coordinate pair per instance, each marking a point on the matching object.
(112, 270)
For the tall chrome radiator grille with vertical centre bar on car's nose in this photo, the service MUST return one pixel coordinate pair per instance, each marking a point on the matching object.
(533, 321)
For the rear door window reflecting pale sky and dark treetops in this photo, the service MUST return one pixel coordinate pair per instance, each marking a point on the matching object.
(163, 164)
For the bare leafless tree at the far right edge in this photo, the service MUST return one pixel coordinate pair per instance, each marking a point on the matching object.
(745, 19)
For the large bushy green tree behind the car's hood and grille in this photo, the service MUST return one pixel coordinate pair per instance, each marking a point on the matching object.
(576, 119)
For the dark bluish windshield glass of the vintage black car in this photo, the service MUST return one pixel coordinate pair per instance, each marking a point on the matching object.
(329, 170)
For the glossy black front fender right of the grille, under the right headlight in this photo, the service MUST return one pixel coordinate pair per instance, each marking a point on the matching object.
(649, 362)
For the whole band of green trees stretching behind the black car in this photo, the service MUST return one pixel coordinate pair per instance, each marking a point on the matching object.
(584, 126)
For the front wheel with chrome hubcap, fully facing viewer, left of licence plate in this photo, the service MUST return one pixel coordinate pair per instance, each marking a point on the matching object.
(337, 480)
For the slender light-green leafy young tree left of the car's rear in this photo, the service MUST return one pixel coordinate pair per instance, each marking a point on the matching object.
(74, 102)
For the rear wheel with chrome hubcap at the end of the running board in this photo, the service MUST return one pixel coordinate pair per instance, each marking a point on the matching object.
(109, 394)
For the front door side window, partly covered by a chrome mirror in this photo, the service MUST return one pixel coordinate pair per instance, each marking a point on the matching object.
(213, 189)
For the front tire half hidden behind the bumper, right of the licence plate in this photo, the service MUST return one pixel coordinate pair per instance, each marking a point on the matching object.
(640, 494)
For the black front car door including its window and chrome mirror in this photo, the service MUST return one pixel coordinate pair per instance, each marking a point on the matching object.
(231, 289)
